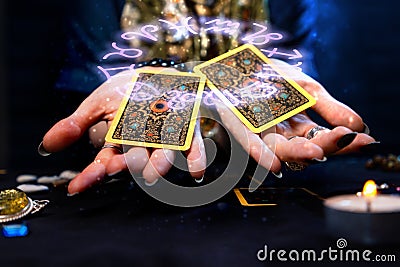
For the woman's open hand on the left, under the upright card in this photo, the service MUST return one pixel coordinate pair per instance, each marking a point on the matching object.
(102, 105)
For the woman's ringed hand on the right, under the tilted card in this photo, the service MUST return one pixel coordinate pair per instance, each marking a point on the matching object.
(299, 139)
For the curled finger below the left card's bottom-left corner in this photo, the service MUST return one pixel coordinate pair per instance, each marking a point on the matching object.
(135, 159)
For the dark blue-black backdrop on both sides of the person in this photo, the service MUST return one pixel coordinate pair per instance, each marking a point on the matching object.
(356, 56)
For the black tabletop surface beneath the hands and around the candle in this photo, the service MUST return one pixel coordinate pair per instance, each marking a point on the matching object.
(118, 224)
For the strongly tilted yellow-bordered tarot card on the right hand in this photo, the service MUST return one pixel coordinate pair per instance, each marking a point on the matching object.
(257, 91)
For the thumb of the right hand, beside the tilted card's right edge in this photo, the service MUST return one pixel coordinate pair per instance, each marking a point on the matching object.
(333, 111)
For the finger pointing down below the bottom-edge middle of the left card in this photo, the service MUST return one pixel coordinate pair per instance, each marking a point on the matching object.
(159, 164)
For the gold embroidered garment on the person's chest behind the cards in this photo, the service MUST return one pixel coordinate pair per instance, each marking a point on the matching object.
(189, 30)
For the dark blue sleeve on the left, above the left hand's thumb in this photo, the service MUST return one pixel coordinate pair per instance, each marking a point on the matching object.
(90, 28)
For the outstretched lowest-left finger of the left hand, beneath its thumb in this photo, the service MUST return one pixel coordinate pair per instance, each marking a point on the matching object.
(94, 173)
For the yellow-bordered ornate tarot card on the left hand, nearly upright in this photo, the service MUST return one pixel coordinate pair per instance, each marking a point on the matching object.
(159, 110)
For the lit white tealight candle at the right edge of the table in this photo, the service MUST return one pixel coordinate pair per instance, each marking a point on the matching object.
(366, 217)
